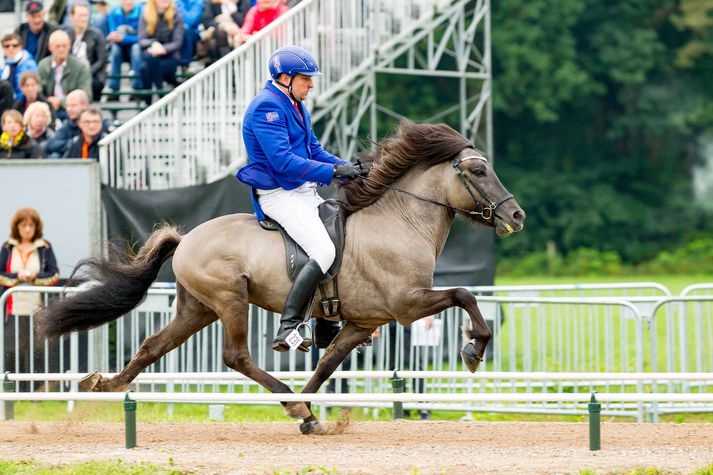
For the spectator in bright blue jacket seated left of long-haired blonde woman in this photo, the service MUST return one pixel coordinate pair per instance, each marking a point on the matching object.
(123, 37)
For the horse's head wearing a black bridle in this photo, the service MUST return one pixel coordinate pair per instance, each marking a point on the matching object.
(476, 189)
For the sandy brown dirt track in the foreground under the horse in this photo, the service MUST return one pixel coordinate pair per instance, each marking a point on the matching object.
(401, 447)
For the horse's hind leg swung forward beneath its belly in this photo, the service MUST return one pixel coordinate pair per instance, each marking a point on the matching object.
(234, 318)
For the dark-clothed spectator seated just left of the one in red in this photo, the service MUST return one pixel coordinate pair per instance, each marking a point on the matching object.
(221, 22)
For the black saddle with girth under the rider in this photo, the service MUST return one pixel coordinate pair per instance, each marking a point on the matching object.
(331, 216)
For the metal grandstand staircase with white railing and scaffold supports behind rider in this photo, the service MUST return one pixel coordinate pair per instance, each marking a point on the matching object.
(194, 134)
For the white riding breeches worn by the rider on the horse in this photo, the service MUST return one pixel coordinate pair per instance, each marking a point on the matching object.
(296, 211)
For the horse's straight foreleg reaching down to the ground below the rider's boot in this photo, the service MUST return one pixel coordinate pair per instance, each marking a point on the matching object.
(347, 339)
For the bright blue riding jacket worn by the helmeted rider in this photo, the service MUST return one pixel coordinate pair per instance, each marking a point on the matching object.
(283, 151)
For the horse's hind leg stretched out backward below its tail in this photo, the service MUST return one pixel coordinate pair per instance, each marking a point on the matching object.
(191, 316)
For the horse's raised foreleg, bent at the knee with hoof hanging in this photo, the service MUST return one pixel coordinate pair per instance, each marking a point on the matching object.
(429, 302)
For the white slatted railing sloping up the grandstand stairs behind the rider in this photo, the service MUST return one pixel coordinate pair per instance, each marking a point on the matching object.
(193, 135)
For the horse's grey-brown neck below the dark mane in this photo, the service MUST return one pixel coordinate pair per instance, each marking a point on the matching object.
(397, 215)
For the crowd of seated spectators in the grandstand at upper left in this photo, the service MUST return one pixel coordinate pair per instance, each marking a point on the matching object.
(60, 64)
